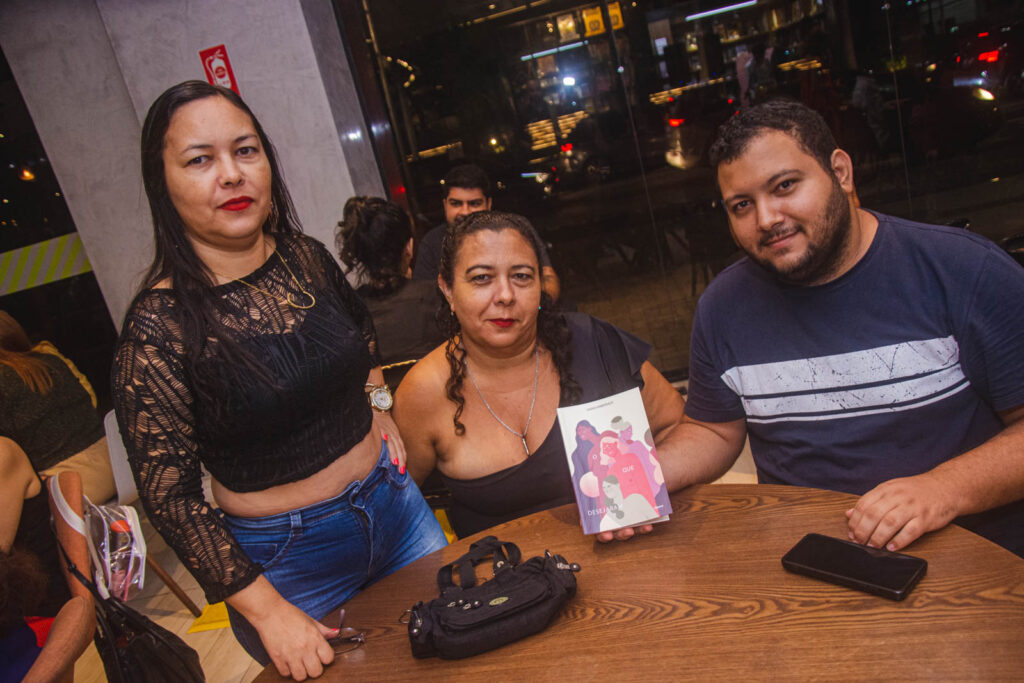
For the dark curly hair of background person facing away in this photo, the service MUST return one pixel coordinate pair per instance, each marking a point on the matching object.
(372, 237)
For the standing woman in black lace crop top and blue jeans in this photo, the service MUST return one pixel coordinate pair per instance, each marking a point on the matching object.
(248, 353)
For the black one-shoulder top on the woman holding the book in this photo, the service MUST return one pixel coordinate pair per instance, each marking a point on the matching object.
(606, 361)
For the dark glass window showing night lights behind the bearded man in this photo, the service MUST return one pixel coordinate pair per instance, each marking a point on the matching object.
(594, 120)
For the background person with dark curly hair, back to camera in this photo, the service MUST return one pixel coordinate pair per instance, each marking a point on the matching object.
(375, 240)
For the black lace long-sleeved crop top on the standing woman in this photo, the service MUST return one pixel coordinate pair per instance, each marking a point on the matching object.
(250, 436)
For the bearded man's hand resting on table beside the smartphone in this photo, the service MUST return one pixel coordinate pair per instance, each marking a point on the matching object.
(898, 513)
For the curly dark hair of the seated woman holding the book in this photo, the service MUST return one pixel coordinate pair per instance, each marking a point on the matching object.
(552, 330)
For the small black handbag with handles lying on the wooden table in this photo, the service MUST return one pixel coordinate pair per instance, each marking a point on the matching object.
(520, 601)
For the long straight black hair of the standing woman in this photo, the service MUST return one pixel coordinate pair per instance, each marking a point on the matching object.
(176, 260)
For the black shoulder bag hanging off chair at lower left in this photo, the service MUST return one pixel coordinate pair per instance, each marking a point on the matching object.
(135, 649)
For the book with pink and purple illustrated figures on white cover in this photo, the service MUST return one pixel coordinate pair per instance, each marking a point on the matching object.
(616, 474)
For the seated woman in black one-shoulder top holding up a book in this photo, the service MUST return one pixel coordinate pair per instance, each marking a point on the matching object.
(482, 409)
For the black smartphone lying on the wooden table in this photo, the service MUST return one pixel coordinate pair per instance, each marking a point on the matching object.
(846, 564)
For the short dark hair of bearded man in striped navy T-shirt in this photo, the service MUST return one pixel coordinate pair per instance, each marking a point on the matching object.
(801, 123)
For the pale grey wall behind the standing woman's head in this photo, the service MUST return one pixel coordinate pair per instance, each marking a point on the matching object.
(90, 69)
